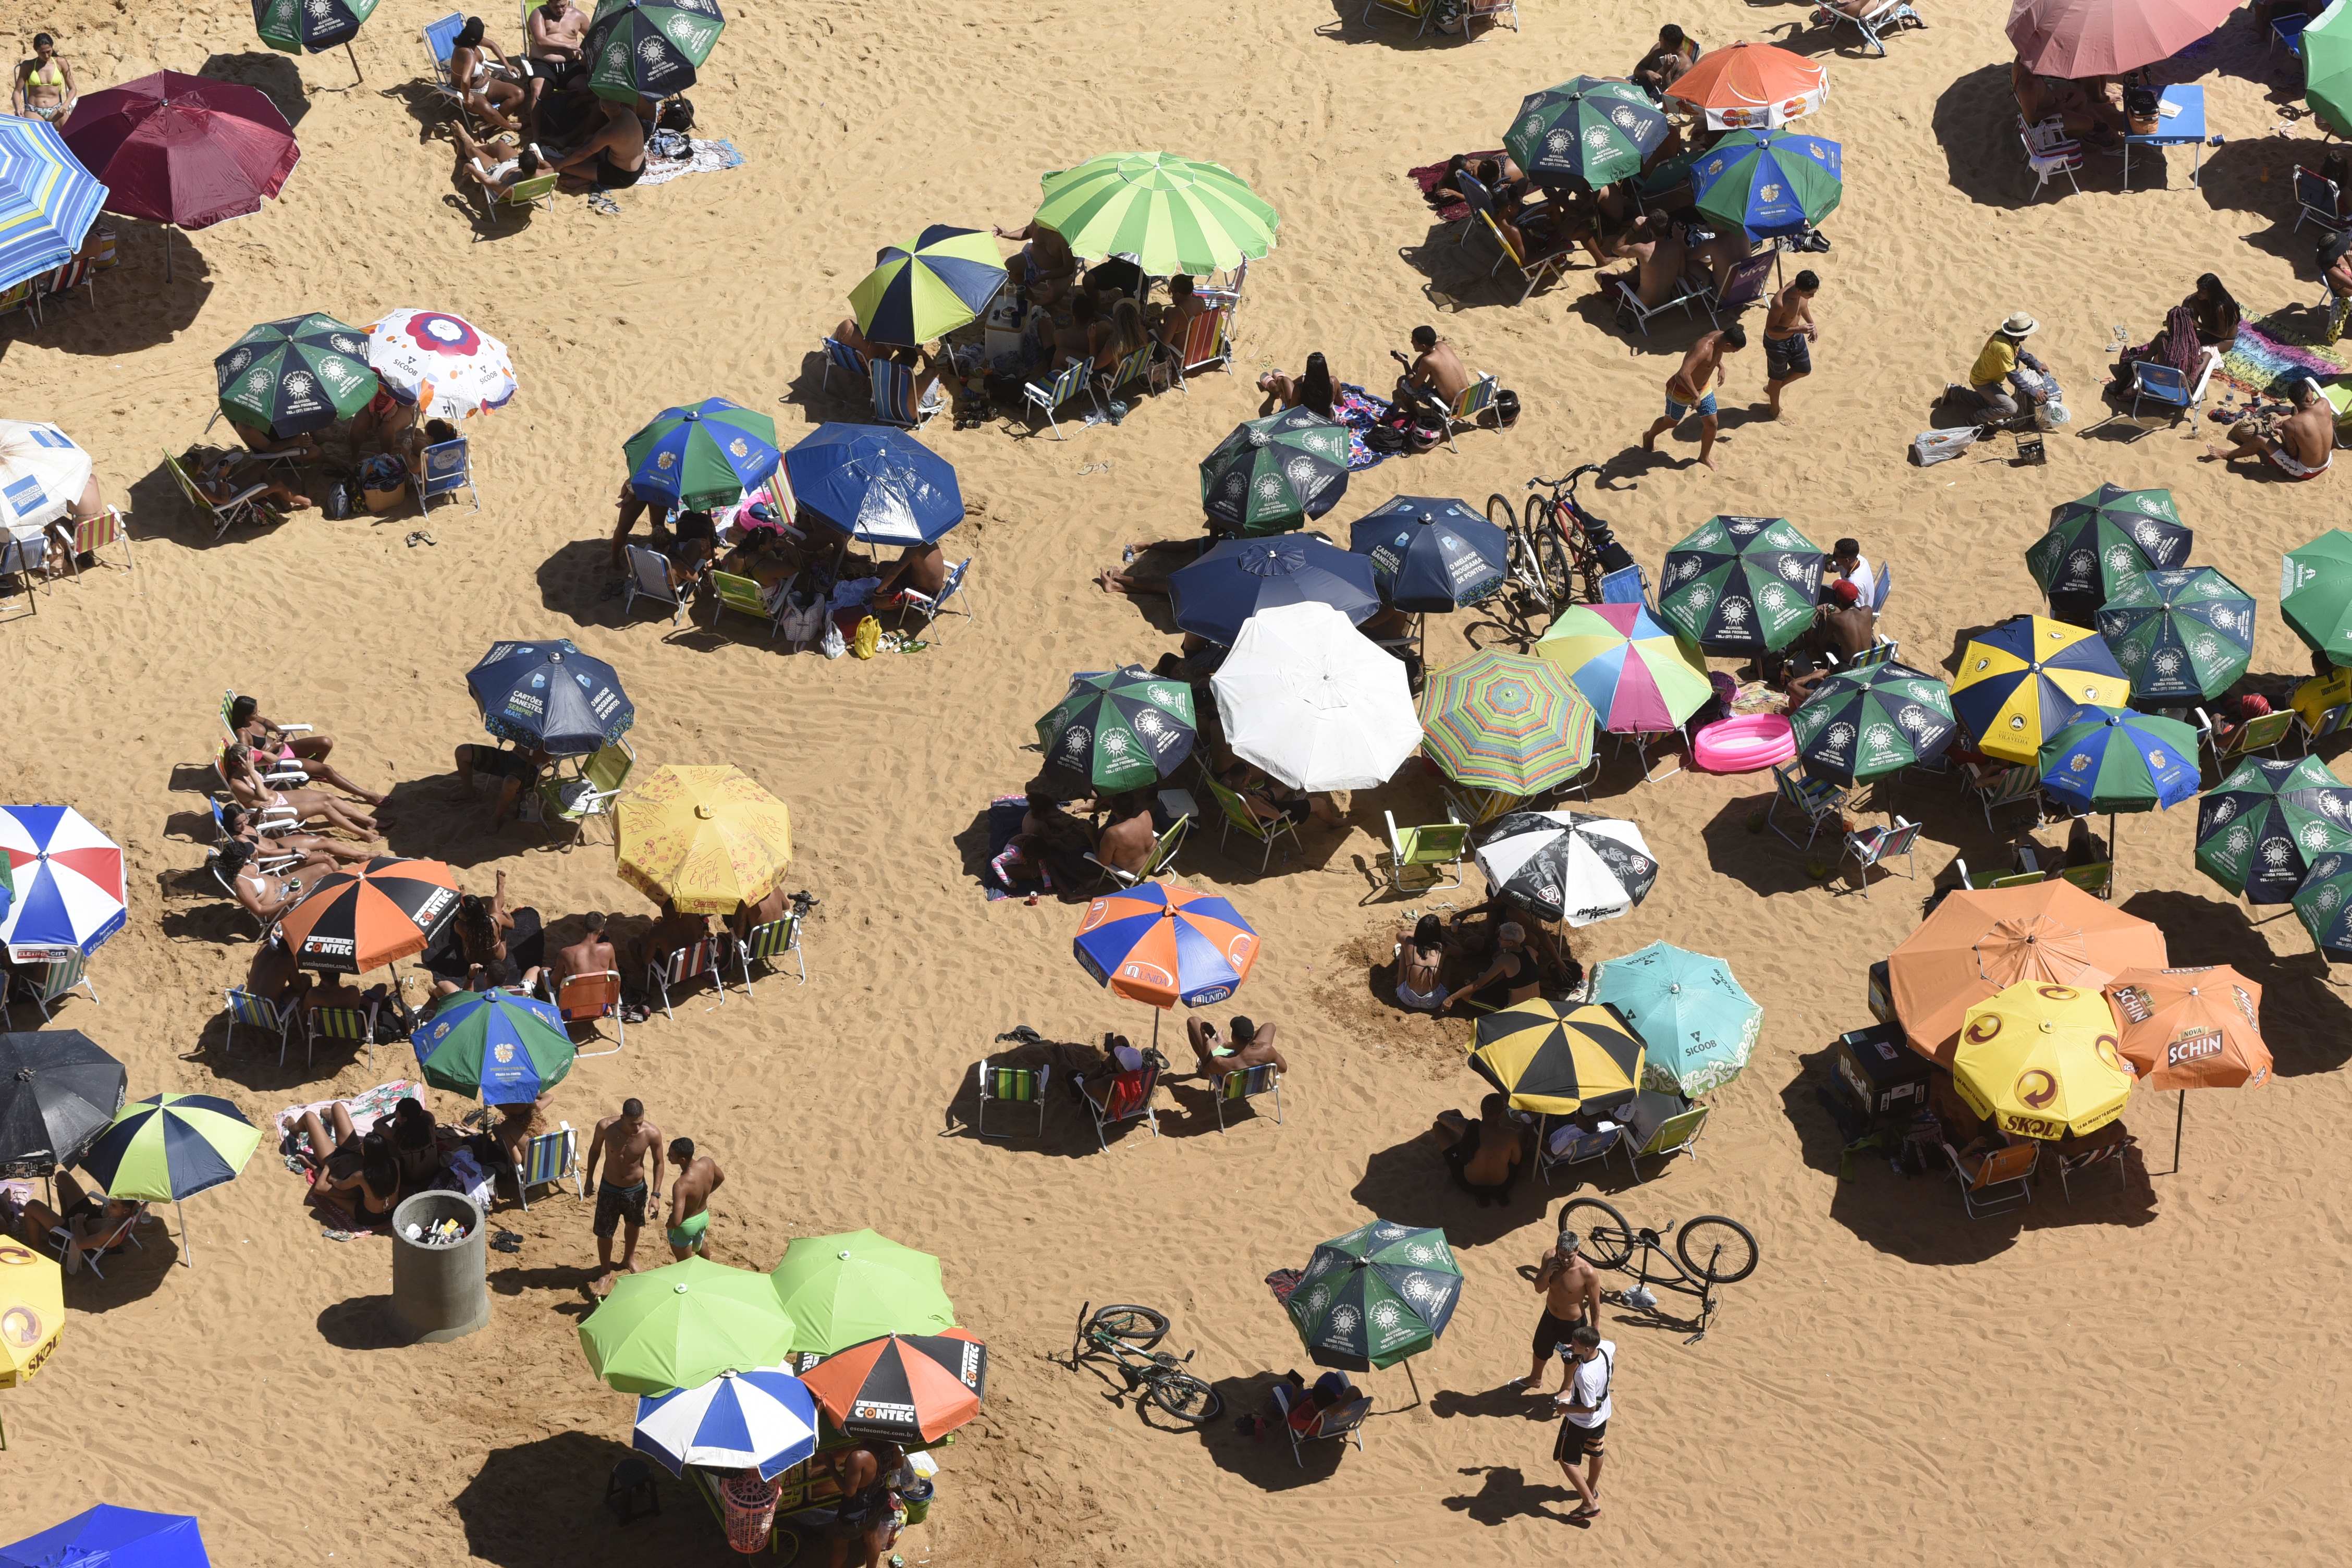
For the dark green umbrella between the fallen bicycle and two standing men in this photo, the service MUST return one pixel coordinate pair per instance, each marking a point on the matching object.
(1375, 1296)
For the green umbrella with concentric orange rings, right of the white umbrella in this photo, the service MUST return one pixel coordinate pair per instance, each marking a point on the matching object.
(1506, 723)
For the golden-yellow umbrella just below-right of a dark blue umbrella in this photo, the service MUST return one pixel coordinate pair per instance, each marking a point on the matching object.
(704, 838)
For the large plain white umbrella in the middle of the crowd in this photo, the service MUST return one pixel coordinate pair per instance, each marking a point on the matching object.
(1314, 702)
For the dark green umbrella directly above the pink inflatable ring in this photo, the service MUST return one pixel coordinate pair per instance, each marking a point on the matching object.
(1742, 587)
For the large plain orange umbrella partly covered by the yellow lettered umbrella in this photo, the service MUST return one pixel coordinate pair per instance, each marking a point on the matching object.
(1982, 942)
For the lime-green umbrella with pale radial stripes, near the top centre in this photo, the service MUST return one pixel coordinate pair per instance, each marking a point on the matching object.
(1172, 215)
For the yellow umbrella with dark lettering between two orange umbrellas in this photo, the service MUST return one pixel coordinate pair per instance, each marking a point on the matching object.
(2043, 1061)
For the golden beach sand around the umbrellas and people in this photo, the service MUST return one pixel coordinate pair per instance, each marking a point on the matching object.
(2141, 1376)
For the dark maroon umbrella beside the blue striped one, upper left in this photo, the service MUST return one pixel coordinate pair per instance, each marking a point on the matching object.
(182, 149)
